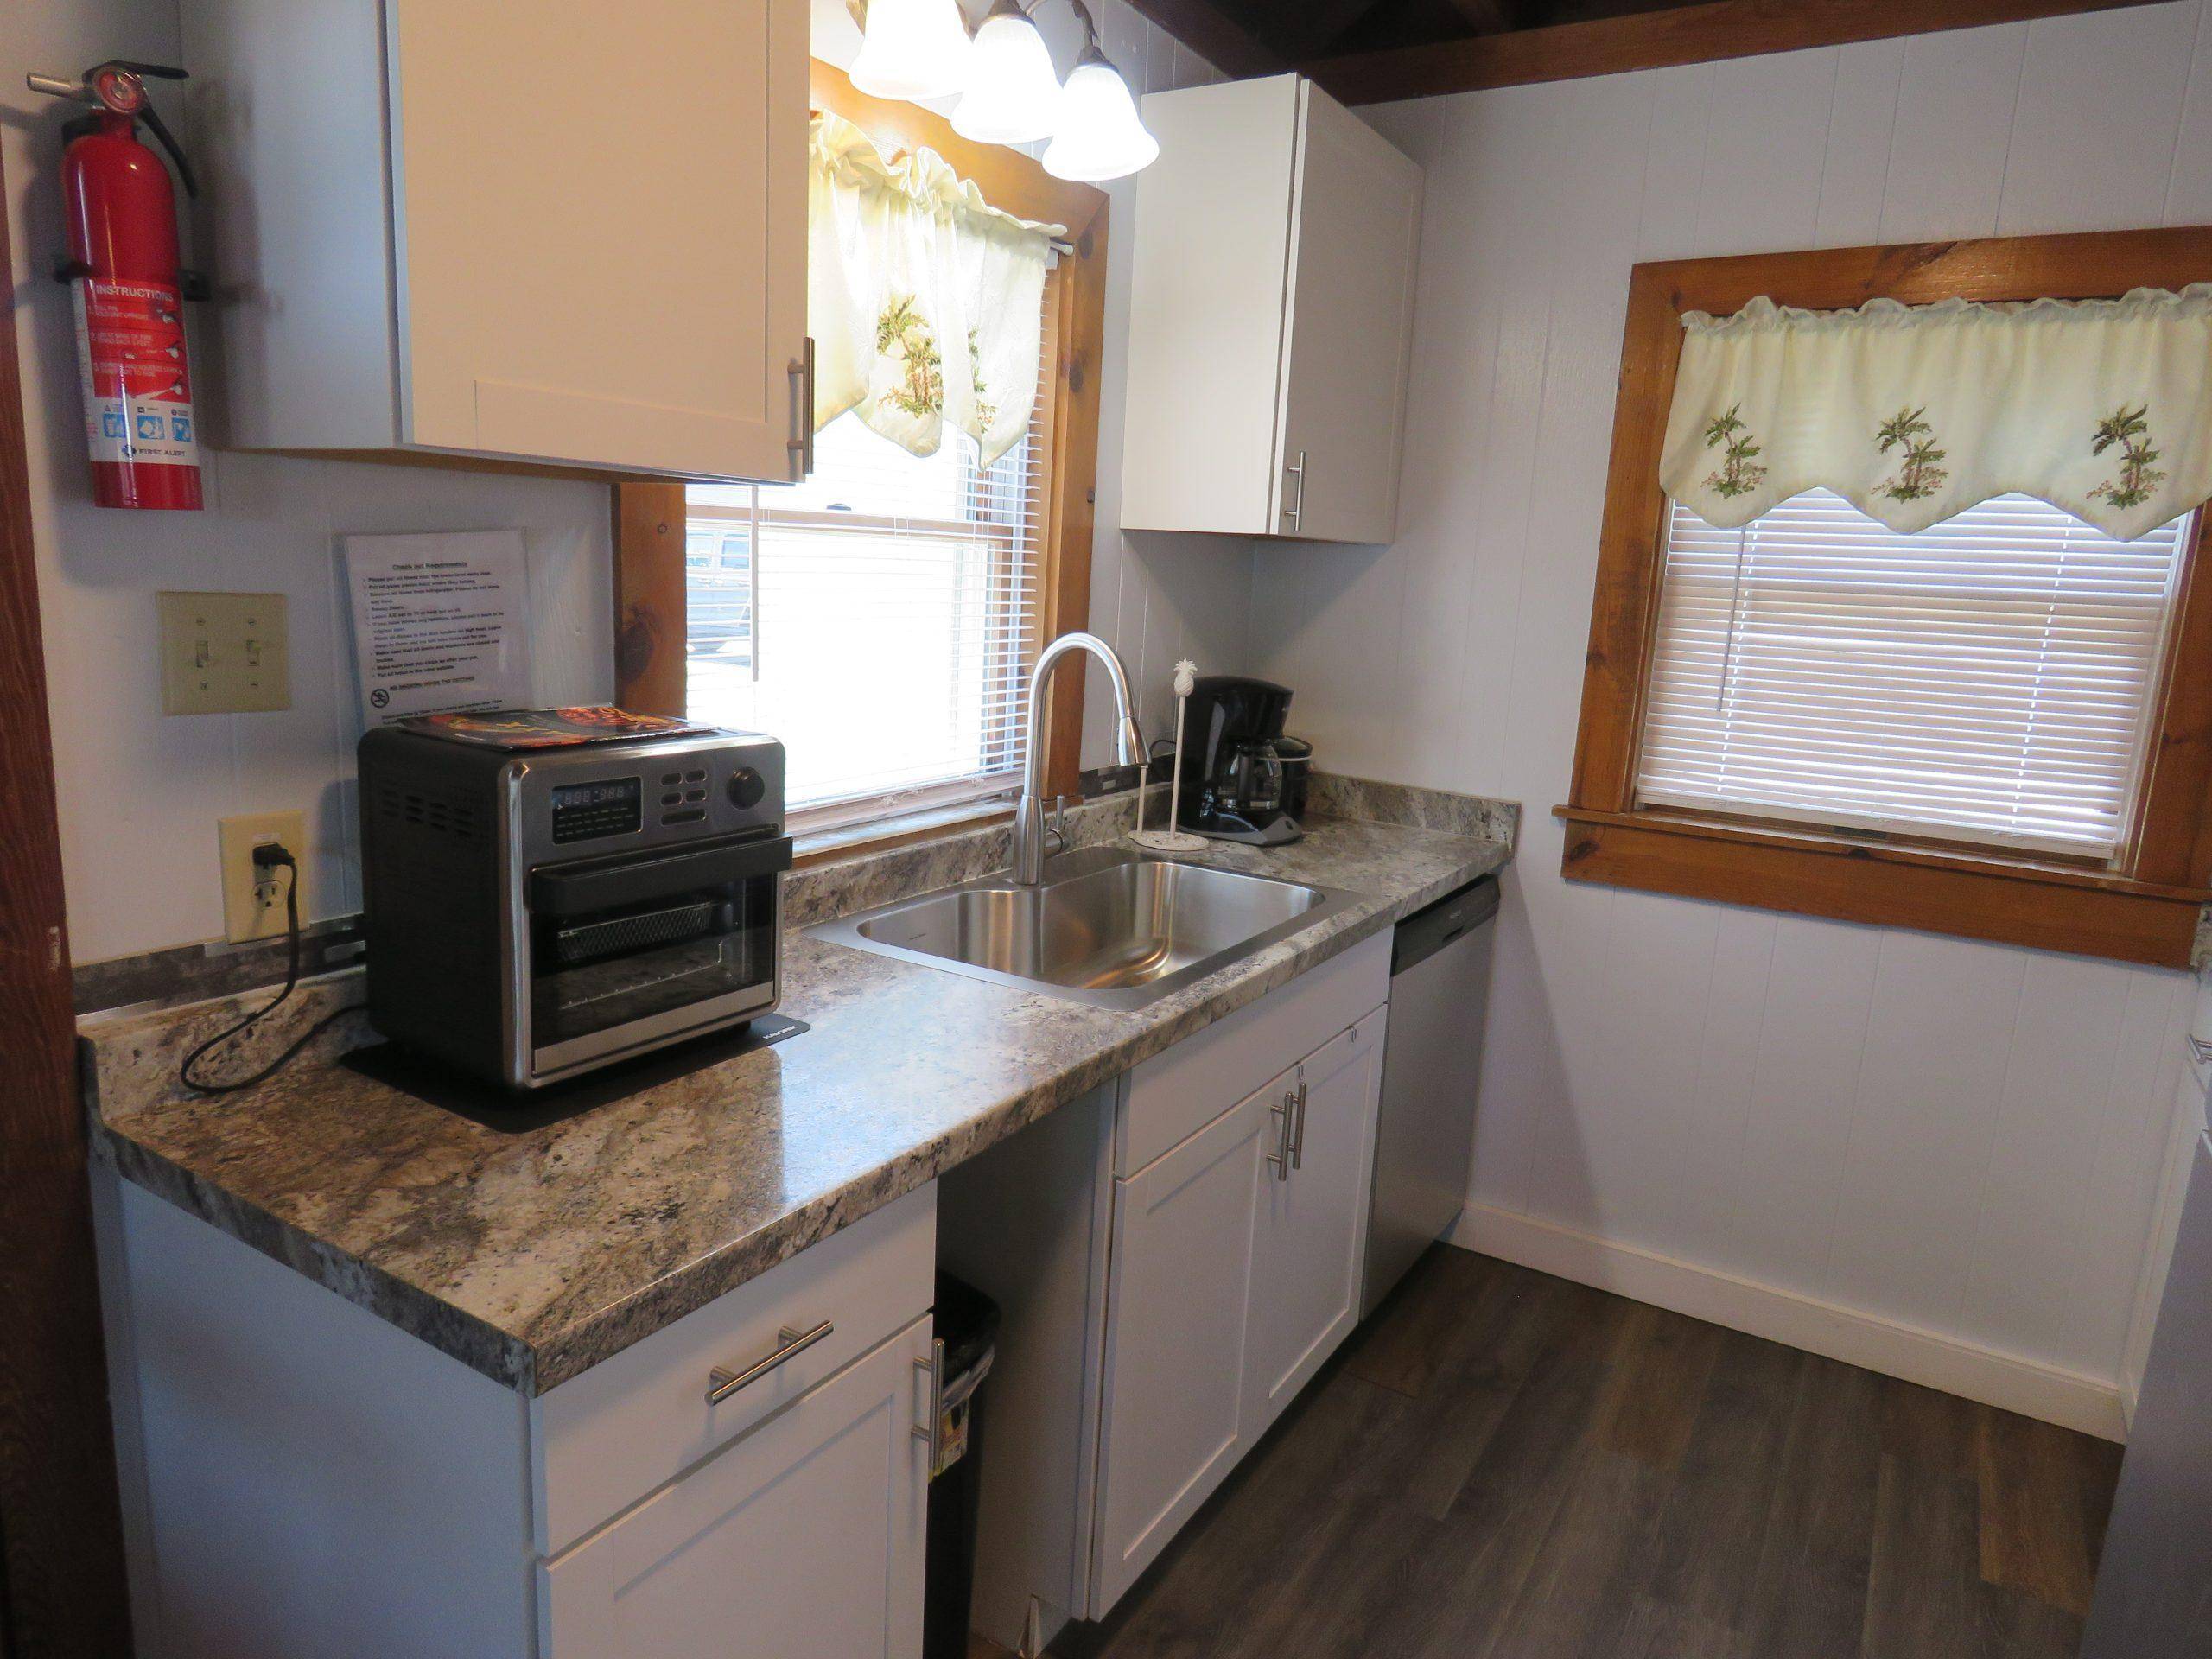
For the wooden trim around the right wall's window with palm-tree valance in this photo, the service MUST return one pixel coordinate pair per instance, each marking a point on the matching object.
(2140, 910)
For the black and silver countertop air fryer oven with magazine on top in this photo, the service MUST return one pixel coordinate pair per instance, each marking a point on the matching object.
(539, 912)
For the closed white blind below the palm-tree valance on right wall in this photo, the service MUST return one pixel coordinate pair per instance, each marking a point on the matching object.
(1985, 680)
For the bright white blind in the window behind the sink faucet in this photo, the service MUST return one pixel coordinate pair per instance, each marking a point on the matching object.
(879, 618)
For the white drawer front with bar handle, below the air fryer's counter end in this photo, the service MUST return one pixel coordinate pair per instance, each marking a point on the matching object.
(640, 1419)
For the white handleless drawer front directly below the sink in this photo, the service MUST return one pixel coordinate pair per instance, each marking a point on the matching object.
(1180, 1092)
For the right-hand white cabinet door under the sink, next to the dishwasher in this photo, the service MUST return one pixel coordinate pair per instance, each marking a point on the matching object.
(1311, 1235)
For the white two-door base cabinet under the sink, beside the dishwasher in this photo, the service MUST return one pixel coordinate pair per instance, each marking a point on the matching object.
(1235, 1264)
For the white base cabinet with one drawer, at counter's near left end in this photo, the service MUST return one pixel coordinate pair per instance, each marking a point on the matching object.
(306, 1479)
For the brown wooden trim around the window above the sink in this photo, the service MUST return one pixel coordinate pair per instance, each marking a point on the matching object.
(649, 517)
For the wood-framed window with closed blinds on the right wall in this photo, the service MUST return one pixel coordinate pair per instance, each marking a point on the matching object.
(1996, 727)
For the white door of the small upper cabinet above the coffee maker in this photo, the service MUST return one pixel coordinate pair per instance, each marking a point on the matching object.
(1348, 328)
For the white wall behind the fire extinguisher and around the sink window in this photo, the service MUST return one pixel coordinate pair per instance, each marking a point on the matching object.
(140, 793)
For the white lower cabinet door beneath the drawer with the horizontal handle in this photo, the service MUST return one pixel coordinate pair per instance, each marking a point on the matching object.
(800, 1541)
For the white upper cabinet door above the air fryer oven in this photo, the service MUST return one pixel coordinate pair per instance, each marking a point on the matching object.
(601, 229)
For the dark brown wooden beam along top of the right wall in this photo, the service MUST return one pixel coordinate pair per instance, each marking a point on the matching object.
(1656, 39)
